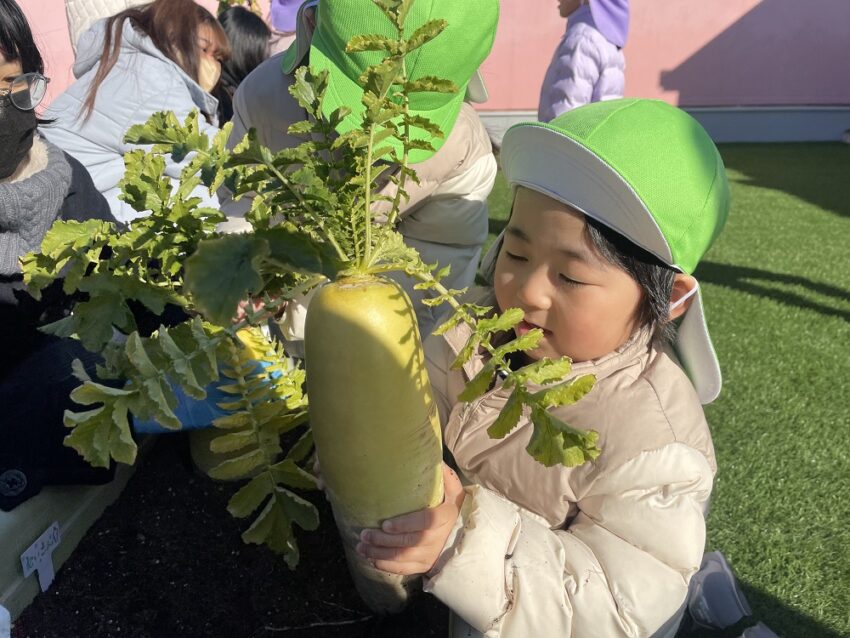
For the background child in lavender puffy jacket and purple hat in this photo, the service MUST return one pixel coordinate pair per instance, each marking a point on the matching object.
(588, 63)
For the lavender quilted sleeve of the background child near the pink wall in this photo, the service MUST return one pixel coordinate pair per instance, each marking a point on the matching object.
(570, 79)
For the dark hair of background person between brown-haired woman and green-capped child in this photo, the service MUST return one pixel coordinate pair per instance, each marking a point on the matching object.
(249, 39)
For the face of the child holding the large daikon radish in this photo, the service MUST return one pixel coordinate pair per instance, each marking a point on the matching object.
(586, 306)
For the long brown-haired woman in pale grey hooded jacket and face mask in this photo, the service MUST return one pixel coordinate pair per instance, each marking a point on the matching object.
(162, 56)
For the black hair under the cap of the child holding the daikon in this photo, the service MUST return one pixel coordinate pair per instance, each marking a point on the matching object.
(654, 277)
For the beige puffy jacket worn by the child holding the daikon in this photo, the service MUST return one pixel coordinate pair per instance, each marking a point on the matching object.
(605, 549)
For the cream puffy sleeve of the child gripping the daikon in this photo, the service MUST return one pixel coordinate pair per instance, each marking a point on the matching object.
(621, 567)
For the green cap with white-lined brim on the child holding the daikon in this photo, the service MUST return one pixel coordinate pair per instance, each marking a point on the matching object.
(650, 172)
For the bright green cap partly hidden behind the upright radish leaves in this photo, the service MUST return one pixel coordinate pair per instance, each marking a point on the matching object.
(454, 55)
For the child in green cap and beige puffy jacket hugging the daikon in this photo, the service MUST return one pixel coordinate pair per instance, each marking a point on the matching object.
(615, 203)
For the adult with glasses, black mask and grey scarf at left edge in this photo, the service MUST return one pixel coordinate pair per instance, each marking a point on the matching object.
(39, 184)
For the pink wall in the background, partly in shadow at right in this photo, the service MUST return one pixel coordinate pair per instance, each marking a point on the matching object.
(688, 52)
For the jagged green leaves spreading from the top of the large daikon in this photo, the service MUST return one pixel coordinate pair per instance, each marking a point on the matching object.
(325, 208)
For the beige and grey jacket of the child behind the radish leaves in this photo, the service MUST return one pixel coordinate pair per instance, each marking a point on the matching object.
(446, 217)
